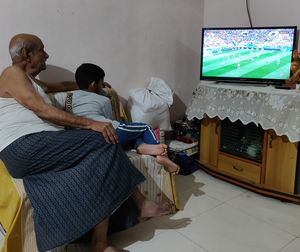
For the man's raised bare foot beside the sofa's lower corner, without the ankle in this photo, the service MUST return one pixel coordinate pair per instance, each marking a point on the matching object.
(152, 209)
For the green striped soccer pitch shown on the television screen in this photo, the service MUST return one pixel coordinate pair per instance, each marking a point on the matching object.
(256, 63)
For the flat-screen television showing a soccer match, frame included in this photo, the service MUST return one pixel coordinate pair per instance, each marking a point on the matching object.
(260, 55)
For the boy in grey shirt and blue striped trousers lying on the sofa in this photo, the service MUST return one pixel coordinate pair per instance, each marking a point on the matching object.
(140, 136)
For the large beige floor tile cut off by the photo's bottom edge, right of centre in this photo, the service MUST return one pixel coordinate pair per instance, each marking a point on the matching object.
(227, 229)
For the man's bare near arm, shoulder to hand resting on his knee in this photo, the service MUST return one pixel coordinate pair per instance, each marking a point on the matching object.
(18, 86)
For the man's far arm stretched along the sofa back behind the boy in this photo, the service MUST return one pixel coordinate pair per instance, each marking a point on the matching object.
(57, 87)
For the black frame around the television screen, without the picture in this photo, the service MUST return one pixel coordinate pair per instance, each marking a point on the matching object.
(262, 81)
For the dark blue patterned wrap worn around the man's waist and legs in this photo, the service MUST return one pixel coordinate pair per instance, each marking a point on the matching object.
(74, 180)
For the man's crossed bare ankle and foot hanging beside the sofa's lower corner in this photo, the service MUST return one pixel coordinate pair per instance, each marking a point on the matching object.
(149, 208)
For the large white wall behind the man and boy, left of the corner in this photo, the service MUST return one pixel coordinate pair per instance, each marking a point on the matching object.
(131, 39)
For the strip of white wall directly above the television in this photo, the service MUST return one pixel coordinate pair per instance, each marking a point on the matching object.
(225, 13)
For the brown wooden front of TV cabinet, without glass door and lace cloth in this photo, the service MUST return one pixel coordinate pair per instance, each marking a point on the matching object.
(275, 175)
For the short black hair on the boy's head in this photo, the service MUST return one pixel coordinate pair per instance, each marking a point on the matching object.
(86, 73)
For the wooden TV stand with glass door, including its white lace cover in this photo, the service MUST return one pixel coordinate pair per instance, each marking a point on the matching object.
(239, 146)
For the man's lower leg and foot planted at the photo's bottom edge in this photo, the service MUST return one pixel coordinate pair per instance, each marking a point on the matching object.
(99, 239)
